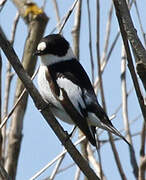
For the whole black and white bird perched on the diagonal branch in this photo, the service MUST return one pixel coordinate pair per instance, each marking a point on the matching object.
(66, 87)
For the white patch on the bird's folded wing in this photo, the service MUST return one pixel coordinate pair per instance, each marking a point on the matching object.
(73, 91)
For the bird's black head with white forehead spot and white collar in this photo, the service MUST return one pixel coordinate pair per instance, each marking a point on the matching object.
(54, 48)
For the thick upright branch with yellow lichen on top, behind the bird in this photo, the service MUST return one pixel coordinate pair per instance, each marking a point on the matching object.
(36, 21)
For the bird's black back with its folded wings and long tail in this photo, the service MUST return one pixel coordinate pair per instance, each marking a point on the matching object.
(74, 90)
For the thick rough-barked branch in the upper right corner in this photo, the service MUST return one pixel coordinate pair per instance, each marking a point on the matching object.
(131, 34)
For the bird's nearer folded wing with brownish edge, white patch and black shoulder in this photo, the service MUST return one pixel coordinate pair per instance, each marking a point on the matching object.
(69, 80)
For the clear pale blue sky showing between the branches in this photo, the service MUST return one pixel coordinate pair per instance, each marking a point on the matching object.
(39, 144)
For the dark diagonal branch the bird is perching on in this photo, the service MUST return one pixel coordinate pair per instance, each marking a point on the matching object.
(46, 113)
